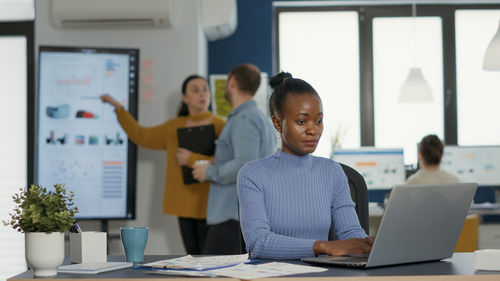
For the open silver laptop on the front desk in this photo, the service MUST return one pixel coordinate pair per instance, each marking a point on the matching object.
(420, 223)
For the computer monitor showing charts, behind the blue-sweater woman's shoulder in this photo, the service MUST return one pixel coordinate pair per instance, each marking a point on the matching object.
(381, 167)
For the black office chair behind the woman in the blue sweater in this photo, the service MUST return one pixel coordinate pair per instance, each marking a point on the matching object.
(359, 195)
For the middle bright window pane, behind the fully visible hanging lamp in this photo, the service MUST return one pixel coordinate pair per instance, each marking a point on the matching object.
(399, 44)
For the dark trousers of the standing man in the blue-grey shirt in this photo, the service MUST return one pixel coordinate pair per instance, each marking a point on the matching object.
(224, 239)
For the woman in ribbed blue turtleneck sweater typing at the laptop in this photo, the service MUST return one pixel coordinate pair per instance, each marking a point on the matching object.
(288, 200)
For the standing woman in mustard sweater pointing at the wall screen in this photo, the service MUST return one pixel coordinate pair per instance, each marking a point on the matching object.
(188, 202)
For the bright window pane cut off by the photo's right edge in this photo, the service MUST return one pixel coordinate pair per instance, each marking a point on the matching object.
(478, 91)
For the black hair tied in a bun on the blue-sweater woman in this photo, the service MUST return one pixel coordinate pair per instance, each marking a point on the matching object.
(283, 85)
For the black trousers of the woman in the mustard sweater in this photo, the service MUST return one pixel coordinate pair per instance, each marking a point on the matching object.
(194, 234)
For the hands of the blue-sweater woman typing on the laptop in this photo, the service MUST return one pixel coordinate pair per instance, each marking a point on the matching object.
(354, 246)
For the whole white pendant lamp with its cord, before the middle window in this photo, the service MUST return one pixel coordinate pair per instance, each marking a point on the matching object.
(415, 88)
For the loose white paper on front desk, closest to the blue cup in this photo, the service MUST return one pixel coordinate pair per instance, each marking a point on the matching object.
(199, 263)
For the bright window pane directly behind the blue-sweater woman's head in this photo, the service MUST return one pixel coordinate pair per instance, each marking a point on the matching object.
(323, 49)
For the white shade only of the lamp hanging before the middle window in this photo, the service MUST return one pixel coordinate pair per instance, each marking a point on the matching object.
(415, 88)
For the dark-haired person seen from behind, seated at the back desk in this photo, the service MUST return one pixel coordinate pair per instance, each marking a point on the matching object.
(430, 152)
